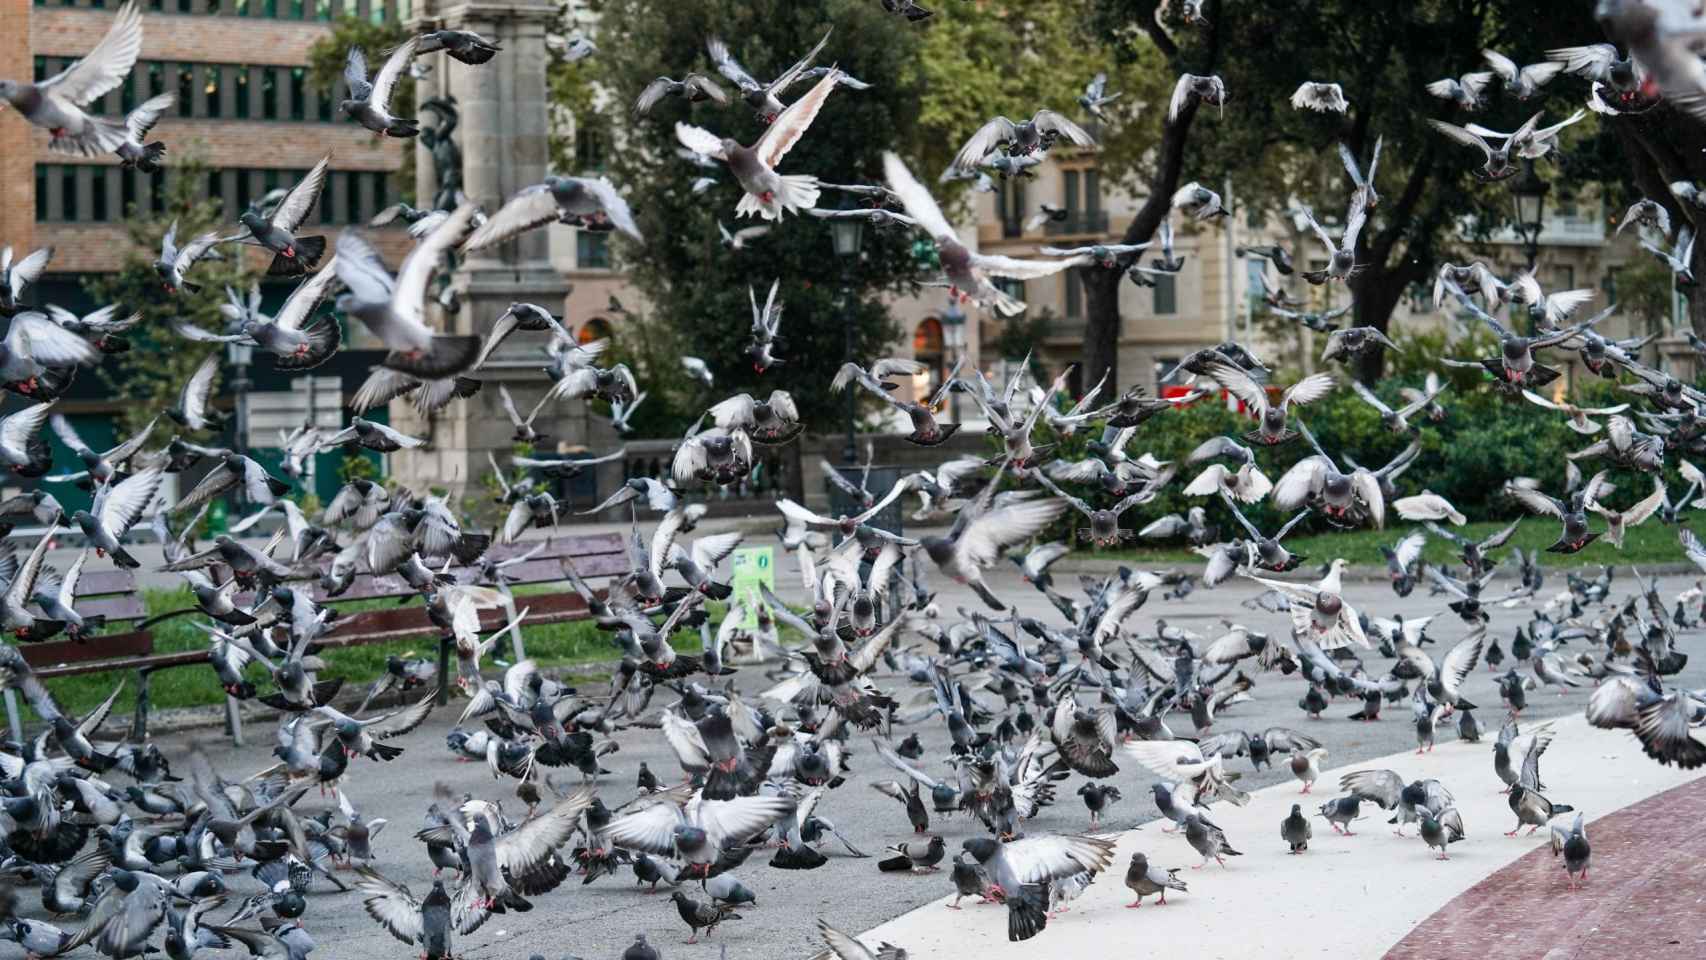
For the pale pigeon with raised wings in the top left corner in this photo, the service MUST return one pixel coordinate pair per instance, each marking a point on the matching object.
(57, 105)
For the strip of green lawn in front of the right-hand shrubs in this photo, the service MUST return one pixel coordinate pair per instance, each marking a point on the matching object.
(1649, 543)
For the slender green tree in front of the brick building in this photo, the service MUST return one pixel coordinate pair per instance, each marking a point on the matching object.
(148, 378)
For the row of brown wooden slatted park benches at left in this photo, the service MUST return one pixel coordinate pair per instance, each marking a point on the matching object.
(115, 594)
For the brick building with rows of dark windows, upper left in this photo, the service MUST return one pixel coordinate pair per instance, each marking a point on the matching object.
(247, 112)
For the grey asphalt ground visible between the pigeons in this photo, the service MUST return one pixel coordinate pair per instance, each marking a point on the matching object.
(600, 920)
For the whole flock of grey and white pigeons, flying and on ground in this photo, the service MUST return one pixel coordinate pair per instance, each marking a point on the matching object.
(1026, 703)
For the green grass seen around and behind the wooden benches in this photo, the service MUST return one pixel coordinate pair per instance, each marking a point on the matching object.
(552, 645)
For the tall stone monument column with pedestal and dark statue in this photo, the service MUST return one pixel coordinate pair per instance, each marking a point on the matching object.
(502, 132)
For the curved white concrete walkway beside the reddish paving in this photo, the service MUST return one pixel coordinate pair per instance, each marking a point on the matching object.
(1349, 898)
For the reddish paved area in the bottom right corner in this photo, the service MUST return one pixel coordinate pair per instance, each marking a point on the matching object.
(1645, 896)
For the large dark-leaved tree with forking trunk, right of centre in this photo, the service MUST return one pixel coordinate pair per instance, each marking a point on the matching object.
(1384, 55)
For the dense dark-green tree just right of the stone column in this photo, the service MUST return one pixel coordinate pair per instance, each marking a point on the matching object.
(688, 277)
